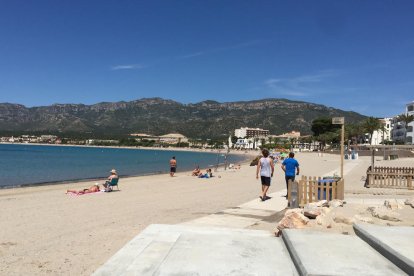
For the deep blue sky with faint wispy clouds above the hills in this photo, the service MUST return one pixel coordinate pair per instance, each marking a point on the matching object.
(352, 55)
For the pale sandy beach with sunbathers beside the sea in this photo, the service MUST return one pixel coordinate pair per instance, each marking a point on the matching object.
(45, 231)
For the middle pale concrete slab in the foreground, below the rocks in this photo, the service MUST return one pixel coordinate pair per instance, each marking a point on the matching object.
(316, 253)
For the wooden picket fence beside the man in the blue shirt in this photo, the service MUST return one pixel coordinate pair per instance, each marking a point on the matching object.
(311, 189)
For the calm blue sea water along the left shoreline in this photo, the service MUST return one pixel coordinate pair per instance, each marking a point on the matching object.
(22, 164)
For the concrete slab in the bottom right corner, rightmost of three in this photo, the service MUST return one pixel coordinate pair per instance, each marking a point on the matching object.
(396, 243)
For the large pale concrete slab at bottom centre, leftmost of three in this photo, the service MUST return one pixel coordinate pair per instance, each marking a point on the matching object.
(191, 250)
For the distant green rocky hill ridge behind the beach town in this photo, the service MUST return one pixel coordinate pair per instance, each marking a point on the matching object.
(206, 119)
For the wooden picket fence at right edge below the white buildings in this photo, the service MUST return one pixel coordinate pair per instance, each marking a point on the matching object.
(390, 177)
